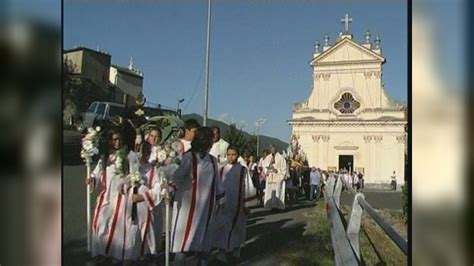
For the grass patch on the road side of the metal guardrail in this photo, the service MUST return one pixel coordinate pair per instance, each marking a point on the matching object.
(315, 247)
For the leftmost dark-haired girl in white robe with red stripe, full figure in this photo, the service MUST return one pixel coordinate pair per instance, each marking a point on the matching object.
(108, 223)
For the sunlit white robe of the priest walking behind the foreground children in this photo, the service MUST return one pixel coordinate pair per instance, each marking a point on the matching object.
(275, 185)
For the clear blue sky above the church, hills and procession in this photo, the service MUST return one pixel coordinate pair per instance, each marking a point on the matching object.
(259, 50)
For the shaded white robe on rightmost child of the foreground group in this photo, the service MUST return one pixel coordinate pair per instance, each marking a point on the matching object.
(228, 230)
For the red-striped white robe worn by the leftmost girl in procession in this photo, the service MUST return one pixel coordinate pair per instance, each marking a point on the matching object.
(109, 217)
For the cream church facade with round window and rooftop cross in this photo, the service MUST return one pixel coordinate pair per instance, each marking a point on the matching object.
(349, 120)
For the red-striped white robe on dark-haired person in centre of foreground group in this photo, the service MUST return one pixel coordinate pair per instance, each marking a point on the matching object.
(198, 191)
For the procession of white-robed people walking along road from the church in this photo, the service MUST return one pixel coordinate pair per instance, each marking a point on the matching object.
(206, 182)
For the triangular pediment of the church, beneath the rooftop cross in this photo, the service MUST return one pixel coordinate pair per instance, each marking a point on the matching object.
(348, 51)
